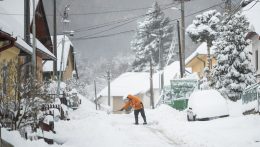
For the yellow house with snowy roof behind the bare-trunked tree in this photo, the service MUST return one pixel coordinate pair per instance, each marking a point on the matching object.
(197, 61)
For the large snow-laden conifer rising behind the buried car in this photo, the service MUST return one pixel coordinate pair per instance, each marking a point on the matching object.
(233, 71)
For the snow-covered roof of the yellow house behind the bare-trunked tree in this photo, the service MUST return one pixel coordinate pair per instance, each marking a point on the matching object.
(201, 50)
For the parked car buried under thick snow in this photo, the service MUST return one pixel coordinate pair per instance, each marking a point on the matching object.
(206, 105)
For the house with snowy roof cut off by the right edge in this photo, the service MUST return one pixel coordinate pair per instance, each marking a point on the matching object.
(251, 11)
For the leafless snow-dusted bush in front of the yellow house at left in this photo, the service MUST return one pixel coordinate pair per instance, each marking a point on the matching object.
(22, 97)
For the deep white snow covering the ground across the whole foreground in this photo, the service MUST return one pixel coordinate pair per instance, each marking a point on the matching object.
(168, 127)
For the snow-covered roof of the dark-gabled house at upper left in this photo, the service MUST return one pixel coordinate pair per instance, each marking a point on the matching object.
(12, 22)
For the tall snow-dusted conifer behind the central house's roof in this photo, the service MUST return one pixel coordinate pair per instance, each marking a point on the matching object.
(153, 33)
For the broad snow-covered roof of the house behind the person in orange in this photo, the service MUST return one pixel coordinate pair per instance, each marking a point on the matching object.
(129, 83)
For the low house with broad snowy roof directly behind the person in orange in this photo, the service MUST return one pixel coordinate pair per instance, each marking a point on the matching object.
(135, 83)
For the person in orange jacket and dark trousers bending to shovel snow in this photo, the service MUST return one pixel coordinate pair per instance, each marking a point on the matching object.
(136, 103)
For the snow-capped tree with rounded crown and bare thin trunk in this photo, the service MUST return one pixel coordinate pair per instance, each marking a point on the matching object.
(204, 29)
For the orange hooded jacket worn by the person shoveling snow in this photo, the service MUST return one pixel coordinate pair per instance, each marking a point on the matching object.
(134, 101)
